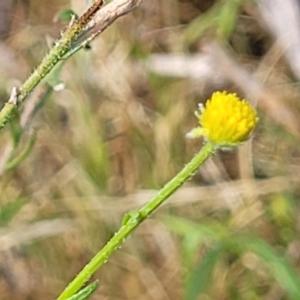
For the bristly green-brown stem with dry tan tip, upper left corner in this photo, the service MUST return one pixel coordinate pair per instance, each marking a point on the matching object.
(91, 22)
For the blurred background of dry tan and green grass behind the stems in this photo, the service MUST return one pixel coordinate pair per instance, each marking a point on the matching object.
(116, 134)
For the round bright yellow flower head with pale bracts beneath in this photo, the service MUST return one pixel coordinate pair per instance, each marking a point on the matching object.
(226, 120)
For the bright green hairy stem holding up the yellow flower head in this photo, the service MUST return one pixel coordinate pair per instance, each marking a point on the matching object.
(136, 219)
